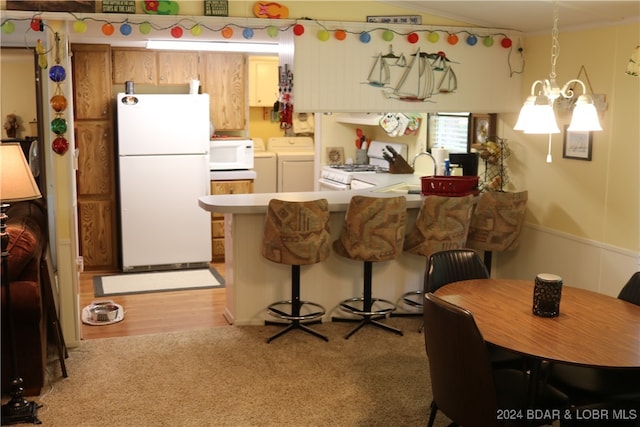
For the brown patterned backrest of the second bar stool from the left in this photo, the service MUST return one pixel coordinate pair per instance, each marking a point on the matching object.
(373, 229)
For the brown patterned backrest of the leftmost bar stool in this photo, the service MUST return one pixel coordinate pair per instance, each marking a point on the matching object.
(296, 233)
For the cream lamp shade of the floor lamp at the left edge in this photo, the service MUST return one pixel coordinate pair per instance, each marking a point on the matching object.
(16, 181)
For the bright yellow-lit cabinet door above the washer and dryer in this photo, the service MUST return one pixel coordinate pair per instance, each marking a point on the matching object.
(263, 81)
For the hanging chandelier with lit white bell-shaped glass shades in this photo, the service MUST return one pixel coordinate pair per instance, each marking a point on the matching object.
(537, 115)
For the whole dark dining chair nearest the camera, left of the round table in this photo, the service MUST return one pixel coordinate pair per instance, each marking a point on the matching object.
(464, 385)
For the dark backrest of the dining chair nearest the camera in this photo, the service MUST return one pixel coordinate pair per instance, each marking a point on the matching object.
(461, 375)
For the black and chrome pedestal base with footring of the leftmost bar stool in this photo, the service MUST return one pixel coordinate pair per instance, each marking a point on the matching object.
(294, 318)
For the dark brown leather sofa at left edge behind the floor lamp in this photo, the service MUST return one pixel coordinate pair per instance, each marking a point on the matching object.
(27, 230)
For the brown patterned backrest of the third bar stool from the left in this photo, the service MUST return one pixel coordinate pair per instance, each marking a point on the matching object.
(441, 224)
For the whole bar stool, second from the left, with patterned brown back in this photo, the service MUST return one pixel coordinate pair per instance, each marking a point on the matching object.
(373, 231)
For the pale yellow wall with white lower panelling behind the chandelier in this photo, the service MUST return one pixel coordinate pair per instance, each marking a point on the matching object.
(583, 216)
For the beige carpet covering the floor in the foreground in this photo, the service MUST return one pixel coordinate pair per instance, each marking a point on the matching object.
(229, 376)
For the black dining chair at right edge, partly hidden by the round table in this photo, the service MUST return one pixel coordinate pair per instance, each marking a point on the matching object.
(600, 386)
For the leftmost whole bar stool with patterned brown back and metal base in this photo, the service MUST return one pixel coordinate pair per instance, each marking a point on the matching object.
(296, 233)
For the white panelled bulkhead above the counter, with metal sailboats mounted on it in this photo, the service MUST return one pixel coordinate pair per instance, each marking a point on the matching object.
(336, 75)
